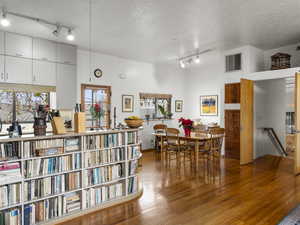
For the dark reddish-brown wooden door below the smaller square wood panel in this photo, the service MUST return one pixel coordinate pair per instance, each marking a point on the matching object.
(232, 131)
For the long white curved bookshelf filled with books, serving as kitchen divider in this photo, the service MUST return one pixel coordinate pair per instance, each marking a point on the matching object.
(48, 179)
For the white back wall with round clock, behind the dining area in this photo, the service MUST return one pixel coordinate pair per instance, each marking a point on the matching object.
(141, 77)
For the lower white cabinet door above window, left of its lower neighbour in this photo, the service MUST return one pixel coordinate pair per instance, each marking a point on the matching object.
(18, 70)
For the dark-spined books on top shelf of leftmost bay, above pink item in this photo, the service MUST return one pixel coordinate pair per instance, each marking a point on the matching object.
(10, 151)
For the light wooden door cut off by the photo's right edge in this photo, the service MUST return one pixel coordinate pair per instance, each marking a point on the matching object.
(297, 124)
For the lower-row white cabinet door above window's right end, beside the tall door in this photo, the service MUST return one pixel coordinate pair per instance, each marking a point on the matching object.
(44, 73)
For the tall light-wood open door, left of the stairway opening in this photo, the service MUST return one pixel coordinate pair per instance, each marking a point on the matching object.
(246, 114)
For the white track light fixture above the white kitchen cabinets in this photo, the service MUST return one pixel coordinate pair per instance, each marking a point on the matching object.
(58, 27)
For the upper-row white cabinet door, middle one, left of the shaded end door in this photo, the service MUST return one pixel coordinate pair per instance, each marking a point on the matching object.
(44, 50)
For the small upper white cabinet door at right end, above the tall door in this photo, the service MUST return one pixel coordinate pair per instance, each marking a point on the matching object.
(67, 54)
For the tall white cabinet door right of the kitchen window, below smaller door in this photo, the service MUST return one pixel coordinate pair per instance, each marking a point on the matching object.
(66, 86)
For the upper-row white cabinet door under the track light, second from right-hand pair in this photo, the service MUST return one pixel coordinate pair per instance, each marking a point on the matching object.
(18, 45)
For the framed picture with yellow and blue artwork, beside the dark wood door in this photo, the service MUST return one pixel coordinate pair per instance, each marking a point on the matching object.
(209, 105)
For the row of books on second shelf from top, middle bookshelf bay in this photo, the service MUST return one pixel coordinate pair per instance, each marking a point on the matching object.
(45, 166)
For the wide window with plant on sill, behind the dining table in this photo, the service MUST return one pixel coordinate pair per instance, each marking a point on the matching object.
(150, 104)
